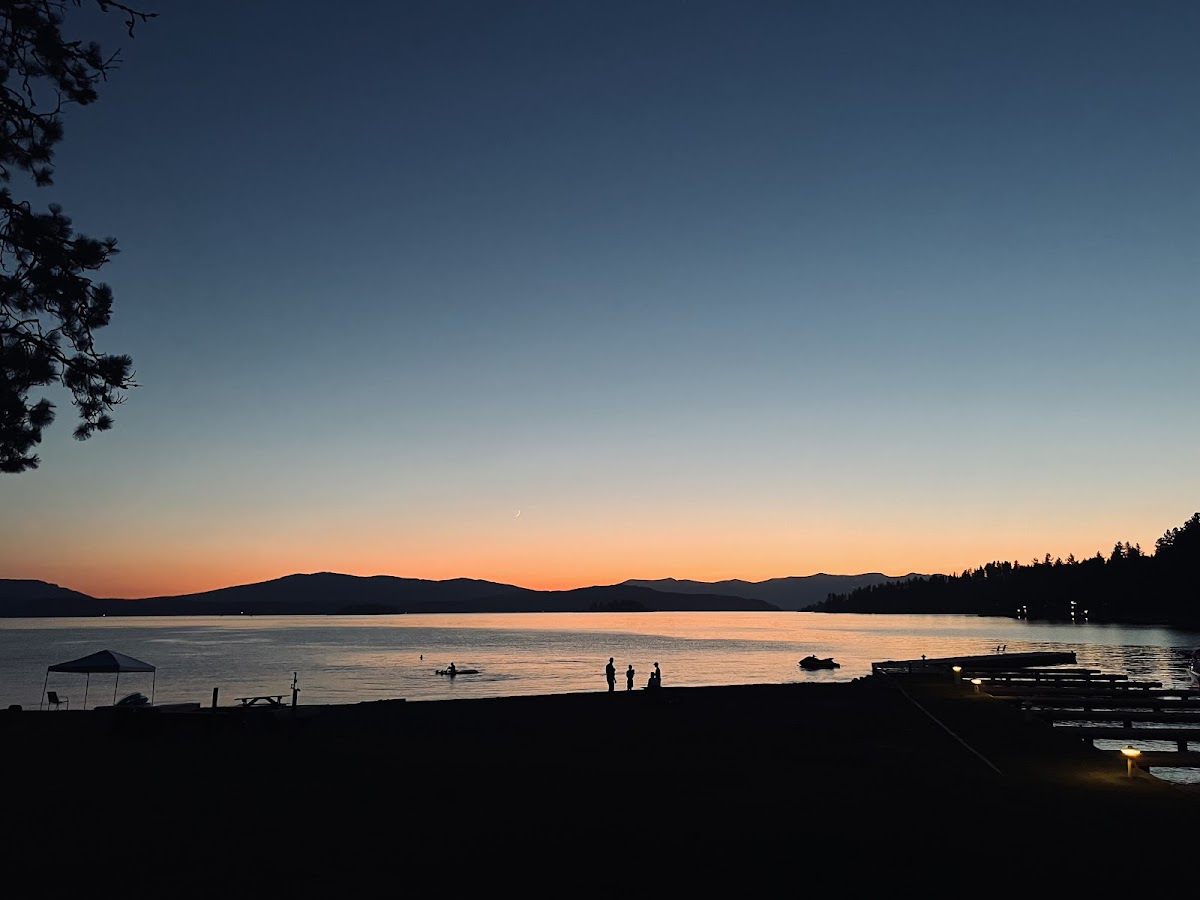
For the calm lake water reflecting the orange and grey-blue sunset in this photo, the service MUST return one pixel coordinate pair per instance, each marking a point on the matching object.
(351, 659)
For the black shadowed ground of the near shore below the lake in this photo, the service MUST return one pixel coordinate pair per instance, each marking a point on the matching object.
(872, 784)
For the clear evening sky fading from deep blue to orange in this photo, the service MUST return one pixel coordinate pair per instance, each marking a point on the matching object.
(571, 292)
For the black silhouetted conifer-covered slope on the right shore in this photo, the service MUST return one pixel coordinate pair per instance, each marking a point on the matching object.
(1127, 586)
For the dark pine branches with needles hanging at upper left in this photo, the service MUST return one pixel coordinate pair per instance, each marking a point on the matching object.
(50, 305)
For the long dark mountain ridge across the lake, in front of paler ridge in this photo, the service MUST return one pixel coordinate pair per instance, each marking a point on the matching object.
(328, 593)
